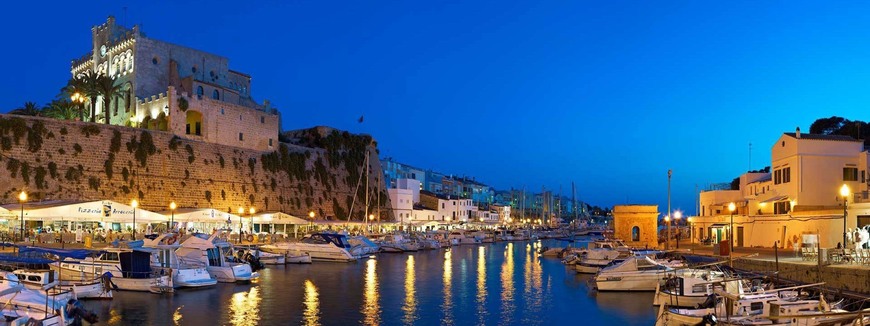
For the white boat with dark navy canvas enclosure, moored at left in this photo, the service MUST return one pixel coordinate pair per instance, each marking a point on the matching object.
(128, 269)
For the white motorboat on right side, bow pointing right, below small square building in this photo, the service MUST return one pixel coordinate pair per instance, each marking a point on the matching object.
(635, 273)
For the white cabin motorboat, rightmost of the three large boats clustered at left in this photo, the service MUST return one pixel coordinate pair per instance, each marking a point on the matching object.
(217, 256)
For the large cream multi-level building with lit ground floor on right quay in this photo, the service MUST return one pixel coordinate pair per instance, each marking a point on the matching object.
(798, 201)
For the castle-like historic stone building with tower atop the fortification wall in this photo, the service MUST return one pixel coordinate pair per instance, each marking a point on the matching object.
(169, 87)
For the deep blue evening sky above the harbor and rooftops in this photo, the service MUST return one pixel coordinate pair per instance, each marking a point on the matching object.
(608, 94)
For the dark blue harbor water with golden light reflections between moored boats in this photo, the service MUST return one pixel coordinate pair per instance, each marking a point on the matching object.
(505, 283)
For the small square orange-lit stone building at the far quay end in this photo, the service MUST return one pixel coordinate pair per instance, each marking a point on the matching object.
(637, 225)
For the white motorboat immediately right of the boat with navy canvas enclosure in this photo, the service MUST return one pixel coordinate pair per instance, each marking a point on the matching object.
(185, 272)
